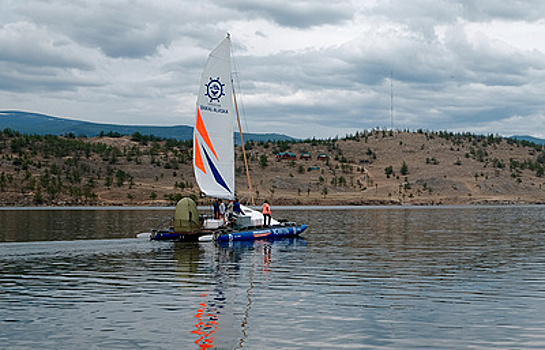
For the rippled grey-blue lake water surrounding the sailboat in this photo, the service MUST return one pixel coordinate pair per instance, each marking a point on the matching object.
(361, 278)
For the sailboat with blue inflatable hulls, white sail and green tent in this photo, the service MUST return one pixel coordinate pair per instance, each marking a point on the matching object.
(214, 164)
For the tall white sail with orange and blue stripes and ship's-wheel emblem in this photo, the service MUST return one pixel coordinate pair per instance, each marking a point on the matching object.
(213, 147)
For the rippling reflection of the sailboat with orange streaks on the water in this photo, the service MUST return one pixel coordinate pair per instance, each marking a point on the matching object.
(223, 281)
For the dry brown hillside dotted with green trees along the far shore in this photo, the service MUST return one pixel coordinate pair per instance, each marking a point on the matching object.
(372, 167)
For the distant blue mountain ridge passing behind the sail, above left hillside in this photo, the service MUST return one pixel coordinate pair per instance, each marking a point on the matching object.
(41, 124)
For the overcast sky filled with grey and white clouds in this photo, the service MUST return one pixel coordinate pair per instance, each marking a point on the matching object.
(310, 68)
